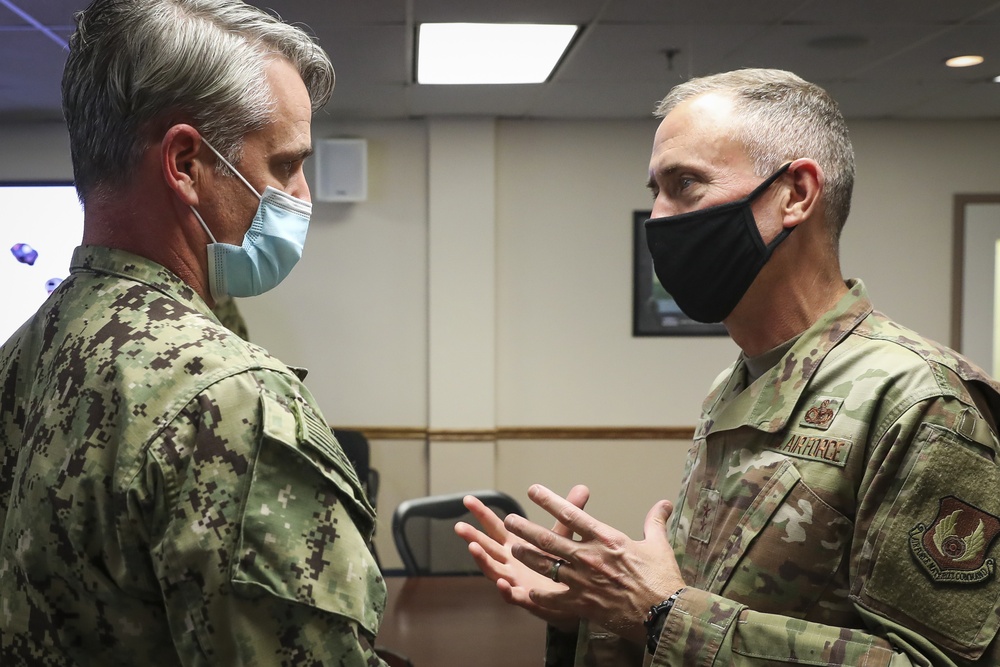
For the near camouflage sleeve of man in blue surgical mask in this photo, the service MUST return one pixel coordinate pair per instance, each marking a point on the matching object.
(255, 534)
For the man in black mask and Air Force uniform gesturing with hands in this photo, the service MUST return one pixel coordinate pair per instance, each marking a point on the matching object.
(841, 500)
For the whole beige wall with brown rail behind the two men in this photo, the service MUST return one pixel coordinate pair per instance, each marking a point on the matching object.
(357, 309)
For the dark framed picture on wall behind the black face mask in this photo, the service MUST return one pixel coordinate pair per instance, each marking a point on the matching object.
(654, 311)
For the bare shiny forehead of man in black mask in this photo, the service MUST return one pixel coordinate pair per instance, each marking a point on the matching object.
(699, 130)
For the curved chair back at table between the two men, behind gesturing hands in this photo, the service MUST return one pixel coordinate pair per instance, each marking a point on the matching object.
(423, 529)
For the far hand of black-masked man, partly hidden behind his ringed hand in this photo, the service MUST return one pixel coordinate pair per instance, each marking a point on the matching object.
(492, 551)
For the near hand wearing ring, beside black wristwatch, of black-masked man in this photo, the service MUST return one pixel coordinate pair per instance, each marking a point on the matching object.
(608, 578)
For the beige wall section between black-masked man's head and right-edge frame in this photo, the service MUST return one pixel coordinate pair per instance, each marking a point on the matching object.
(898, 237)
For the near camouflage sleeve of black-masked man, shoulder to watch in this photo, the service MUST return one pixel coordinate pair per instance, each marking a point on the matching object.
(922, 565)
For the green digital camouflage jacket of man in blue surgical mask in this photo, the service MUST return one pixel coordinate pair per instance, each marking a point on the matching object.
(170, 494)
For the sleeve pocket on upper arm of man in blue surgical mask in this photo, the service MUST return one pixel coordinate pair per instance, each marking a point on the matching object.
(304, 529)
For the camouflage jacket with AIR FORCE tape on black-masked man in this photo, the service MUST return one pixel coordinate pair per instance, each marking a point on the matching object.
(842, 509)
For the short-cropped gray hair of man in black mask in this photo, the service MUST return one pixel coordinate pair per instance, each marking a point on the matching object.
(782, 118)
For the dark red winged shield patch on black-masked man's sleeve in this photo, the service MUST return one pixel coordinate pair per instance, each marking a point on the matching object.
(954, 548)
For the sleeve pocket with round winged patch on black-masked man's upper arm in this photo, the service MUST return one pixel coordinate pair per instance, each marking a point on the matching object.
(935, 562)
